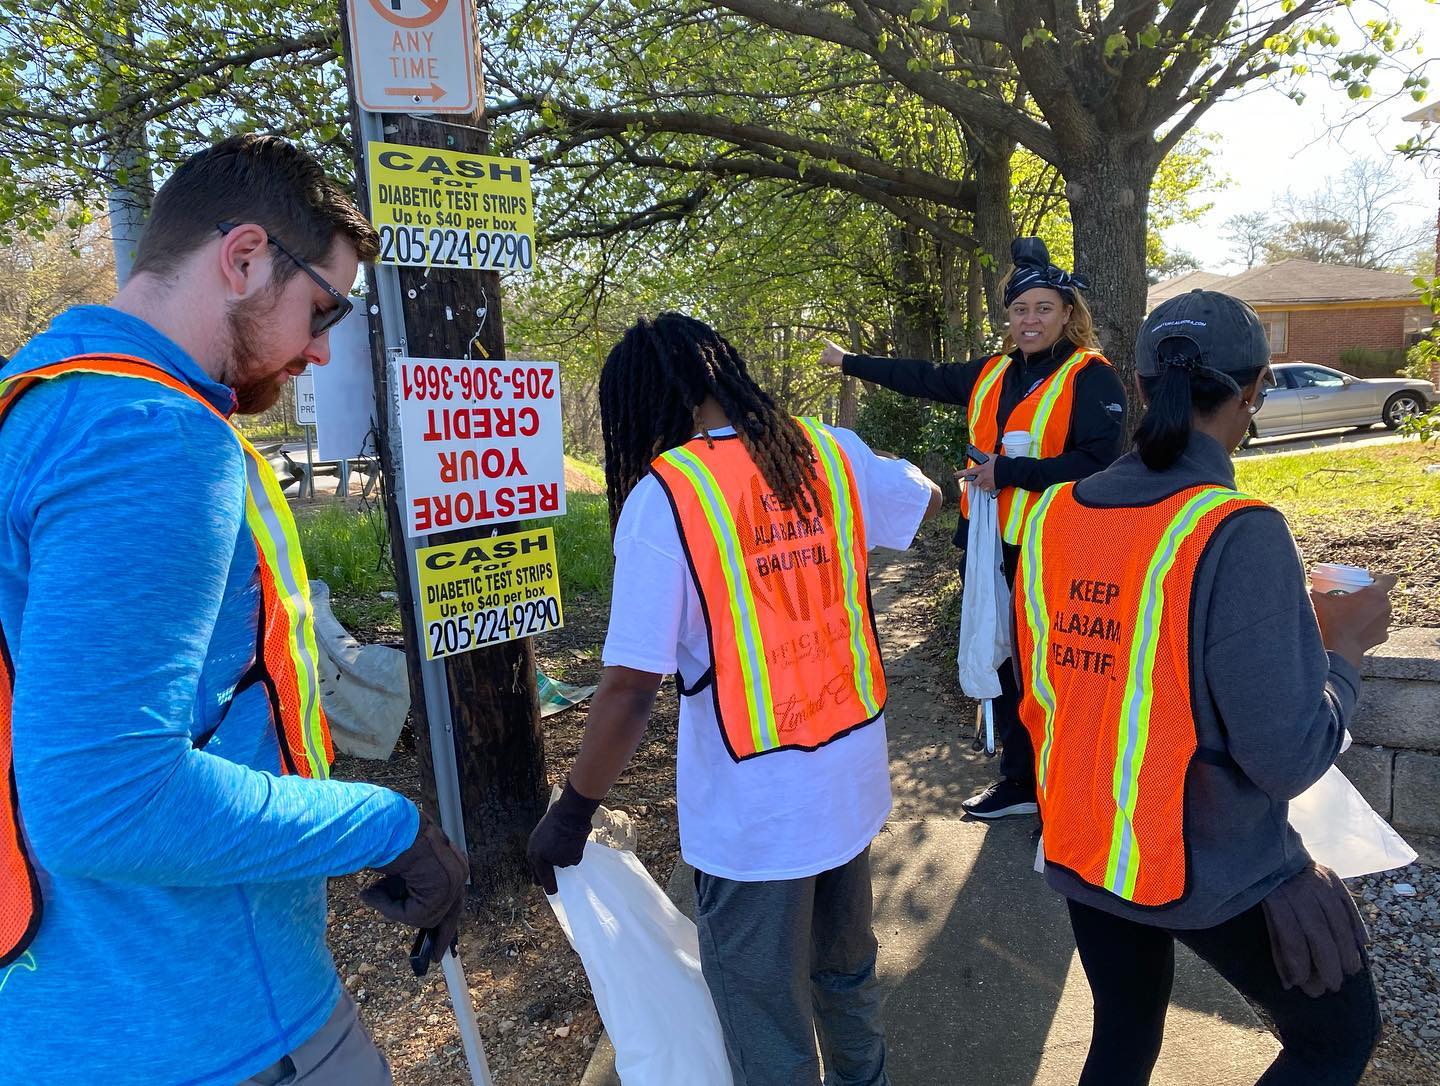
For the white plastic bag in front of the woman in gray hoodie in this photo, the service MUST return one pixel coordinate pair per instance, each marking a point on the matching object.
(1343, 832)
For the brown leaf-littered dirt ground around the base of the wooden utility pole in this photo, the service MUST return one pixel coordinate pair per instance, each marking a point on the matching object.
(532, 999)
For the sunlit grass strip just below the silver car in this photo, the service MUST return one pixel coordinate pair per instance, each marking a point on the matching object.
(1373, 480)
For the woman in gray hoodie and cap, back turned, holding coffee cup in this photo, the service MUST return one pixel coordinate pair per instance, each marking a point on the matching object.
(1182, 686)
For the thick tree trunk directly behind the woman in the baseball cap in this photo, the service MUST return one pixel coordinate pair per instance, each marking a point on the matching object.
(1110, 198)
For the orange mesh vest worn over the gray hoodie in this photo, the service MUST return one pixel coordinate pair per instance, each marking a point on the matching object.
(1104, 639)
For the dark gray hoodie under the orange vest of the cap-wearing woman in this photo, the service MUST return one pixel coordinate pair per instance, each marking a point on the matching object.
(1265, 691)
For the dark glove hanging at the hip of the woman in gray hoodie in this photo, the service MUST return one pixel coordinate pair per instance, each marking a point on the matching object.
(1317, 935)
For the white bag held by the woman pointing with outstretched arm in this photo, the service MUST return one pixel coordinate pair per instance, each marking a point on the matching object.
(986, 603)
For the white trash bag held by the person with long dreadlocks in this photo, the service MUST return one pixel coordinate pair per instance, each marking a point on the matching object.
(643, 959)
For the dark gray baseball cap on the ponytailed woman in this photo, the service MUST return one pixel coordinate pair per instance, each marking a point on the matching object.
(1225, 331)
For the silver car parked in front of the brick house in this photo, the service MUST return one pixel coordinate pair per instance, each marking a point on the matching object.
(1308, 397)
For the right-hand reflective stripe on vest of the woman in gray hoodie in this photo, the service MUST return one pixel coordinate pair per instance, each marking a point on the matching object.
(1135, 718)
